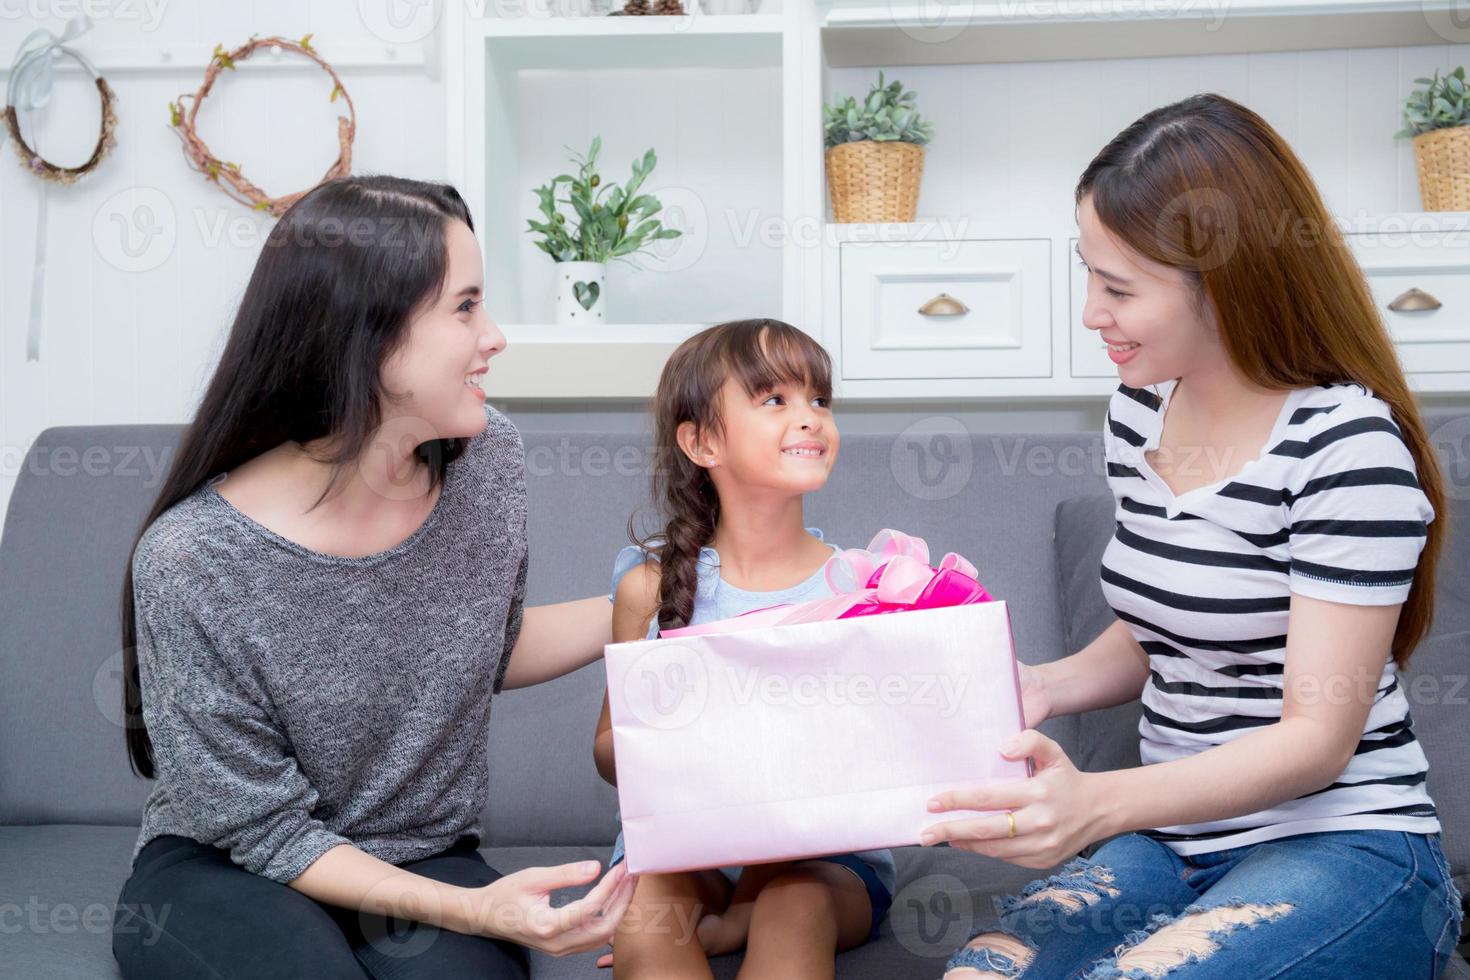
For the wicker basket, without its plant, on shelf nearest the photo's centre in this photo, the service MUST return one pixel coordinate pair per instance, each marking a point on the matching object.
(875, 181)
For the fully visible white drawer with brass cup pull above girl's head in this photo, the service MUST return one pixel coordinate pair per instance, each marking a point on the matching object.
(1005, 333)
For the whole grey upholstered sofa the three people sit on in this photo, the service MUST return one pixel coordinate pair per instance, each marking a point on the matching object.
(70, 804)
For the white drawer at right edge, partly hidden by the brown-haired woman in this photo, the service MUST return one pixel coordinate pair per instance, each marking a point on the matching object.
(1438, 264)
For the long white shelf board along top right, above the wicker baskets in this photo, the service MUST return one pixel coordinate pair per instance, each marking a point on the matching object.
(861, 35)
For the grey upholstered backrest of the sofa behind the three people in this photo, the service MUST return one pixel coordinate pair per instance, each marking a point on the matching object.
(83, 493)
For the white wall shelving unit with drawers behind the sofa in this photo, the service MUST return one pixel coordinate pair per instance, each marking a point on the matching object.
(733, 105)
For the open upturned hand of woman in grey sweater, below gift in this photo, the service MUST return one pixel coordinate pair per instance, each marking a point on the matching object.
(518, 907)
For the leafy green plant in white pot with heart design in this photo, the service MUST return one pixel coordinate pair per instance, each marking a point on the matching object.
(605, 228)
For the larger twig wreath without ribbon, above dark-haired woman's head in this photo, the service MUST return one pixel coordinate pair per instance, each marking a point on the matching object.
(226, 174)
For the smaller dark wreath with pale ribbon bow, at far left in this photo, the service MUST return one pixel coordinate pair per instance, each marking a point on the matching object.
(29, 89)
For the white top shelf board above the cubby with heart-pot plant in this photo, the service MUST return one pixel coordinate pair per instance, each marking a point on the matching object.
(634, 42)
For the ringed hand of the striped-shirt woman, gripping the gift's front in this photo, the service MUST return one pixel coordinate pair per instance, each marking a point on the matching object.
(1056, 812)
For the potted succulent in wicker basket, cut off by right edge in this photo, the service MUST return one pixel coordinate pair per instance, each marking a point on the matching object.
(1438, 120)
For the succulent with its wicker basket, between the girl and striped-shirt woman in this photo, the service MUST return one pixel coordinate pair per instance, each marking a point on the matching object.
(875, 155)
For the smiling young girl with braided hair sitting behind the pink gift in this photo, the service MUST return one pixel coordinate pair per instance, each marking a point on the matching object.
(743, 430)
